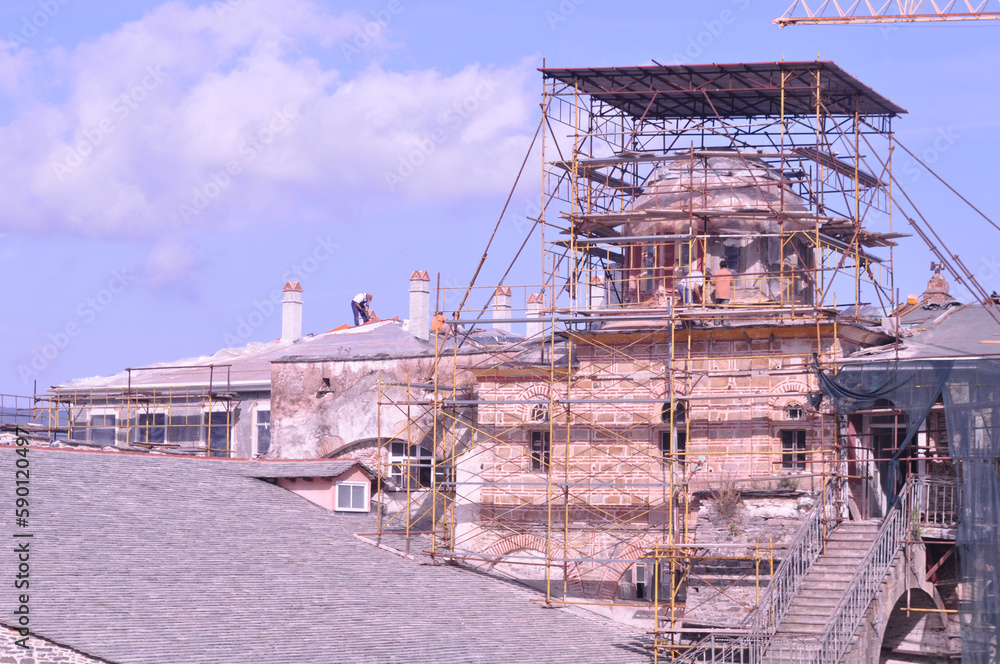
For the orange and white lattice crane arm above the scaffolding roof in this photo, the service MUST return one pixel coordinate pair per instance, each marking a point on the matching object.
(887, 11)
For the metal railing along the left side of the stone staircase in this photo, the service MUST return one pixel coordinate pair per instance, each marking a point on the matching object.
(759, 646)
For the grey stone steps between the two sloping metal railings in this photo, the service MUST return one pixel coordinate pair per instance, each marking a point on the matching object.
(827, 581)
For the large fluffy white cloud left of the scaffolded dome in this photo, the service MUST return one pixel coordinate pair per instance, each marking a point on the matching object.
(192, 119)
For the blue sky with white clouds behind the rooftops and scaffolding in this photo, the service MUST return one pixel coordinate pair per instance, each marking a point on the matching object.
(167, 166)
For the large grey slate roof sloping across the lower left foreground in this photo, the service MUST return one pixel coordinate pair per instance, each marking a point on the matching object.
(156, 559)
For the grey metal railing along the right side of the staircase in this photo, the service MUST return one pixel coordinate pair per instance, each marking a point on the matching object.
(867, 581)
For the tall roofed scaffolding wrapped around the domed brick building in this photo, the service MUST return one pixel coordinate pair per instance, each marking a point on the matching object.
(641, 404)
